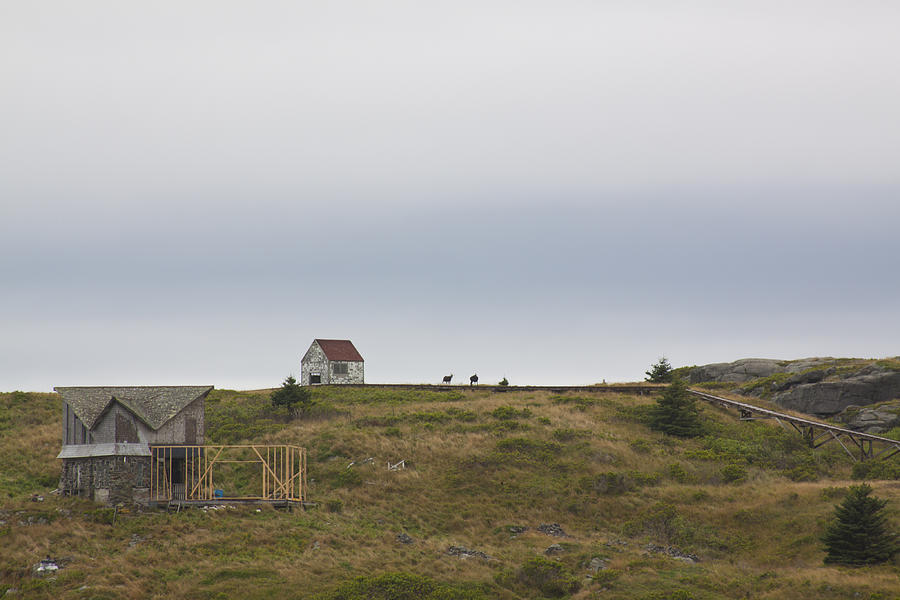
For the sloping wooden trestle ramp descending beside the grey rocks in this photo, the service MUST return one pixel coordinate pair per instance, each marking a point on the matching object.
(865, 445)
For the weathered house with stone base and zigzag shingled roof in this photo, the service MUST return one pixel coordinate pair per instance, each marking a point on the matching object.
(108, 433)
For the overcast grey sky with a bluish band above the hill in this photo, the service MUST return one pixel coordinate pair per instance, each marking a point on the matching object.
(555, 192)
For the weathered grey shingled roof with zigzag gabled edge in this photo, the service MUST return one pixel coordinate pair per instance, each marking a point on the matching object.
(154, 405)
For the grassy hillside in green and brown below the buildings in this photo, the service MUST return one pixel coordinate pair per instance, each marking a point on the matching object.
(748, 500)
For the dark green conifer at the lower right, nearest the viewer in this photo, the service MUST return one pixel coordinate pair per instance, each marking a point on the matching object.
(859, 534)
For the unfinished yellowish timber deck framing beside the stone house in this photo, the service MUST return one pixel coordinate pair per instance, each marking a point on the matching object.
(186, 474)
